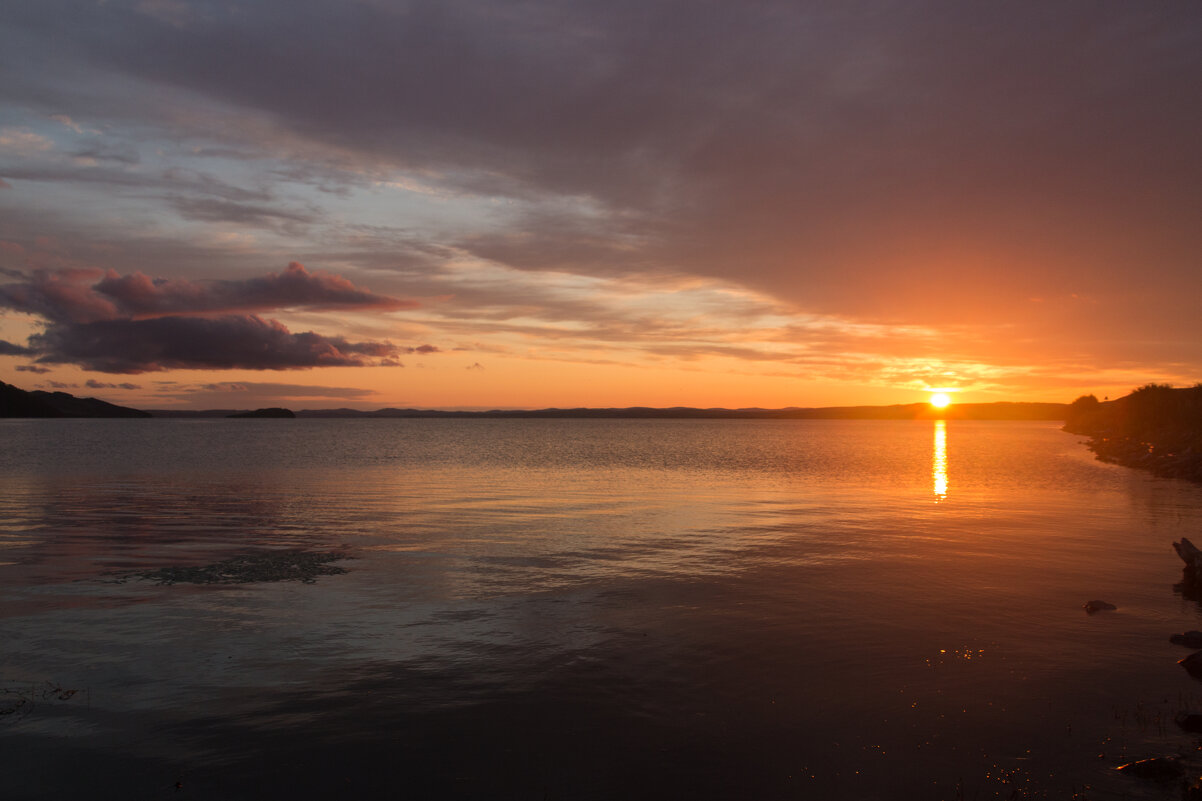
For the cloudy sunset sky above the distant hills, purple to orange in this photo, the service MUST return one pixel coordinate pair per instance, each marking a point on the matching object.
(366, 204)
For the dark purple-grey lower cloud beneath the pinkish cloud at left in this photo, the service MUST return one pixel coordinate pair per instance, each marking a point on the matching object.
(199, 343)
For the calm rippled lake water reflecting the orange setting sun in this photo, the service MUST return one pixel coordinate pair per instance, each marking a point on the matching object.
(588, 610)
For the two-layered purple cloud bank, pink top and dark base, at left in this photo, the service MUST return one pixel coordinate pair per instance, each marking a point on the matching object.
(135, 324)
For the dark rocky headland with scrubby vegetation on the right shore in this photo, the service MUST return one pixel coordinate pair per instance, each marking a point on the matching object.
(1157, 429)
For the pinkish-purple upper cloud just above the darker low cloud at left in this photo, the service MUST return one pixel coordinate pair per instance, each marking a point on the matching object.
(88, 296)
